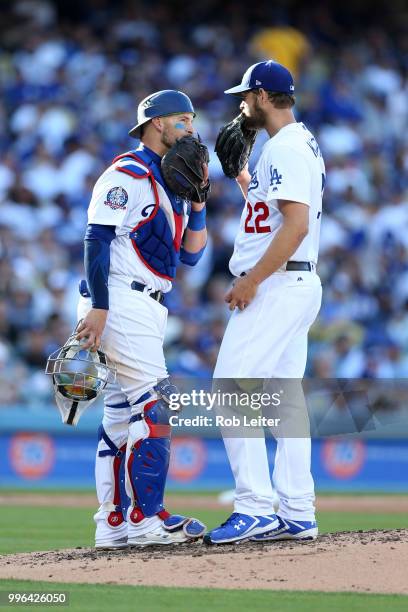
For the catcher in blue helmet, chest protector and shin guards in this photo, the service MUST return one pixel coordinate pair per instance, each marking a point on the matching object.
(147, 213)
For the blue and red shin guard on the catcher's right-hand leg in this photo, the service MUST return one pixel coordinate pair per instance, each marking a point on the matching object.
(148, 462)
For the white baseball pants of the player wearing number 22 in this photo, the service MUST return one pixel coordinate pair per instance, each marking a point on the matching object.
(269, 340)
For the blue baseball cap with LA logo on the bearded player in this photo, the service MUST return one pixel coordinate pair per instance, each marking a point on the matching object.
(269, 75)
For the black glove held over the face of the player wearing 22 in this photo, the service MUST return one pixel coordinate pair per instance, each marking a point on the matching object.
(234, 145)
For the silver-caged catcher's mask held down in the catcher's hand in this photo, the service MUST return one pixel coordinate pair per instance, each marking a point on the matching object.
(78, 376)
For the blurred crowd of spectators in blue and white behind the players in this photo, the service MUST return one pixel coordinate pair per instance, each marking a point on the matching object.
(70, 84)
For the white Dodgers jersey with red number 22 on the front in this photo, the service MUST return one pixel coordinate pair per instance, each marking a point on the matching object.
(290, 168)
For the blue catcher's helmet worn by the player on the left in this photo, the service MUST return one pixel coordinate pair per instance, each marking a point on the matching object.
(159, 104)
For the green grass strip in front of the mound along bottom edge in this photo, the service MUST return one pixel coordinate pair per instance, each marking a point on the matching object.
(101, 598)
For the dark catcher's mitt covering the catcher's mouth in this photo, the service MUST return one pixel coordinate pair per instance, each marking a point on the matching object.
(183, 169)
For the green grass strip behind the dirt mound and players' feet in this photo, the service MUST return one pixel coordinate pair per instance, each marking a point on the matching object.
(45, 528)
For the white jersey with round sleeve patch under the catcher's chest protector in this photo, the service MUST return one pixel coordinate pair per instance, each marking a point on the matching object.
(124, 201)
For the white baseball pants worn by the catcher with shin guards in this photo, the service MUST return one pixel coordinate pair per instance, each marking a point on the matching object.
(133, 341)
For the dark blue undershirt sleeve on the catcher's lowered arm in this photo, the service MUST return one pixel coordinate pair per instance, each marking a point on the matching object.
(97, 262)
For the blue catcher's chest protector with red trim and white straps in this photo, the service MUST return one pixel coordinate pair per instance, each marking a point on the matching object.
(156, 239)
